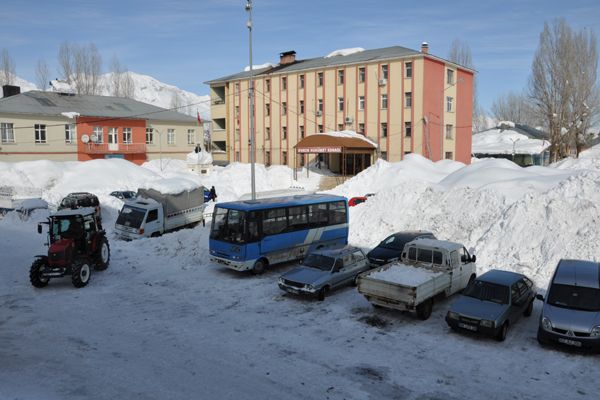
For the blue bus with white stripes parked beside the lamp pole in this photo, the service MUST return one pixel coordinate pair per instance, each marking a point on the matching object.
(253, 234)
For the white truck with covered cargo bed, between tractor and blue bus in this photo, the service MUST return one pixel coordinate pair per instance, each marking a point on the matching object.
(153, 213)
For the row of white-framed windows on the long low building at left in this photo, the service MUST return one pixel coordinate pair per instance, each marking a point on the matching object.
(7, 134)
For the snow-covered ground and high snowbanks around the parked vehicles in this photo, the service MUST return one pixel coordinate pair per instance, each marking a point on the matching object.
(163, 322)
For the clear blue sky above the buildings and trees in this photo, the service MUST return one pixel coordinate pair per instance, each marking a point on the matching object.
(185, 43)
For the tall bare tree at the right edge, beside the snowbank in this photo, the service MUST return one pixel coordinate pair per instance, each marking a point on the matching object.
(563, 85)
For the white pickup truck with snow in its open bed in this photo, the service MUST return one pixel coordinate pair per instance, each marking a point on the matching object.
(427, 268)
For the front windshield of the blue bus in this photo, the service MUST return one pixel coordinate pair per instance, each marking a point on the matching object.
(234, 226)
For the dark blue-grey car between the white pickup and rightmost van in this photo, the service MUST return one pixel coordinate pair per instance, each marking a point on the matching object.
(492, 303)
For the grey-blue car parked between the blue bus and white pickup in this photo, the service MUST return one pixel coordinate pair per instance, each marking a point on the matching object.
(324, 270)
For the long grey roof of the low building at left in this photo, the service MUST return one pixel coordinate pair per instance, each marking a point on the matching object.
(54, 104)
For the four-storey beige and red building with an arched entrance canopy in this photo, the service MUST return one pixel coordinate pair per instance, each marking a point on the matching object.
(404, 100)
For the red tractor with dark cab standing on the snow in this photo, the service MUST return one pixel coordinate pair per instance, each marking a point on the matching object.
(77, 243)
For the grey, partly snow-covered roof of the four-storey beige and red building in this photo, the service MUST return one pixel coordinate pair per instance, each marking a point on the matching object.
(386, 53)
